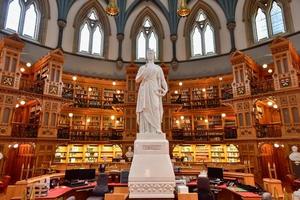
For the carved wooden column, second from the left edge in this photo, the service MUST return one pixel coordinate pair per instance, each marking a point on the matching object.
(48, 74)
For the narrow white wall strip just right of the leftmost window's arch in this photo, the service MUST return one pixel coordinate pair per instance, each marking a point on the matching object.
(52, 27)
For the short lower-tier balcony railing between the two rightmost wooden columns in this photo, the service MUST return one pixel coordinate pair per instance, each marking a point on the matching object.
(268, 130)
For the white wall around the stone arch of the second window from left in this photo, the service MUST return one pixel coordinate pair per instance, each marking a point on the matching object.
(69, 32)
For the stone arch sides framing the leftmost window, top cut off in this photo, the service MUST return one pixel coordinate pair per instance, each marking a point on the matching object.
(44, 10)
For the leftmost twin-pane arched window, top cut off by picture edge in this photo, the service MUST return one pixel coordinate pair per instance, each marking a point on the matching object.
(23, 17)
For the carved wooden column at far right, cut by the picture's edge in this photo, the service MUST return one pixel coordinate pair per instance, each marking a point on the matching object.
(286, 80)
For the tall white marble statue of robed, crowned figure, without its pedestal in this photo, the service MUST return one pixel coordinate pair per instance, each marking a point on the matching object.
(153, 87)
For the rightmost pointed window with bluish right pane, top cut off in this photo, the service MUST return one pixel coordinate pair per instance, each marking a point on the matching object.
(269, 20)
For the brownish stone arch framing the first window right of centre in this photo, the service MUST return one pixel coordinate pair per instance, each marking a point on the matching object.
(213, 18)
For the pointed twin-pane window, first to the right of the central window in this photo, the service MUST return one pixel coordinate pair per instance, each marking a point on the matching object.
(202, 36)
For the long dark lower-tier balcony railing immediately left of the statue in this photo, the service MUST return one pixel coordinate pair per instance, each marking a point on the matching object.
(89, 135)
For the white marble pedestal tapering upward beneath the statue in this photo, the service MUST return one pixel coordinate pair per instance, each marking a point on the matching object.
(151, 174)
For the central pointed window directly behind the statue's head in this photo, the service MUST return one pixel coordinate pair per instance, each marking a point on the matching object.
(146, 39)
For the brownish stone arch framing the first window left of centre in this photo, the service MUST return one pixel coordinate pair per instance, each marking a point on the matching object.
(81, 15)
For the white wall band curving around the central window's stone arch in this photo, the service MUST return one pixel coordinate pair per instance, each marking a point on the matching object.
(127, 43)
